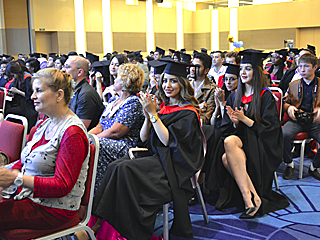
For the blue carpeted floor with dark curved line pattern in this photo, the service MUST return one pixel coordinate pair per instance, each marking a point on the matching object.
(301, 220)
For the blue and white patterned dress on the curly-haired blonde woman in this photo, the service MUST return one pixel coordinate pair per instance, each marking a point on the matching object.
(130, 114)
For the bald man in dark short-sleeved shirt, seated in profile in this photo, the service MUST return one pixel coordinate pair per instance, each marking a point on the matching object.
(86, 103)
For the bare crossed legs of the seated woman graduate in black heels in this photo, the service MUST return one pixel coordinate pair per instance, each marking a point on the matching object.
(235, 162)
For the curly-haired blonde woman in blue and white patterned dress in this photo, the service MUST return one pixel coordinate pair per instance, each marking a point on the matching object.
(122, 119)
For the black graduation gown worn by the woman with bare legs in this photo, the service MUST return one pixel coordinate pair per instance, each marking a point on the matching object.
(263, 147)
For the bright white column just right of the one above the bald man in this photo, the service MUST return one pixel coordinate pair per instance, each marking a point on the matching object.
(107, 29)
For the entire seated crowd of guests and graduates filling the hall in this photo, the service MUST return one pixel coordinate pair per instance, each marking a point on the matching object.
(210, 112)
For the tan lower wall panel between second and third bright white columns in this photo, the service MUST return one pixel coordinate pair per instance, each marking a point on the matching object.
(129, 41)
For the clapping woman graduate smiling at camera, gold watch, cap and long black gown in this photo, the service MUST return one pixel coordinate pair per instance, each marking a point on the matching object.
(133, 190)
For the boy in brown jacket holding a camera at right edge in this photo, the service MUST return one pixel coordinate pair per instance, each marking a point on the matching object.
(302, 97)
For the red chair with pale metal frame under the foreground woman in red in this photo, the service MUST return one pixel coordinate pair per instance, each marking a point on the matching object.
(86, 204)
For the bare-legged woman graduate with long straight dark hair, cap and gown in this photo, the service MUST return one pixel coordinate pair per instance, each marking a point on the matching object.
(251, 147)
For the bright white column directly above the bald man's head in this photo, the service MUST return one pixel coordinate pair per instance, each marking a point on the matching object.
(80, 30)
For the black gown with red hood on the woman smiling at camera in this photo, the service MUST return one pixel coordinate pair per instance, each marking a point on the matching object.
(132, 190)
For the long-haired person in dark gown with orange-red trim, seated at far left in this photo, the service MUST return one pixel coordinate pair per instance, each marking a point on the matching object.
(20, 89)
